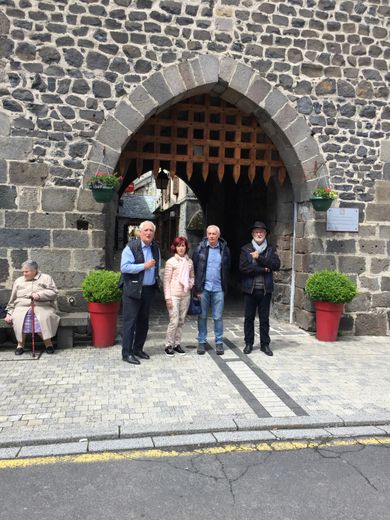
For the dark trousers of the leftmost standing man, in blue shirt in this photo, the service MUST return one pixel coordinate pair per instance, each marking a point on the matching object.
(136, 320)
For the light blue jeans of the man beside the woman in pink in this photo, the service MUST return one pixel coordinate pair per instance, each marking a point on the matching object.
(216, 301)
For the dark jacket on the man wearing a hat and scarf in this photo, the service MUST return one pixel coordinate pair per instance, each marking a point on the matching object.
(250, 268)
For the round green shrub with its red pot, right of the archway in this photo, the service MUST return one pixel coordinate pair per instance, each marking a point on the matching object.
(329, 290)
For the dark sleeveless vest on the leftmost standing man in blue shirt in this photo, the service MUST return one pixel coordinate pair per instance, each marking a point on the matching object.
(131, 283)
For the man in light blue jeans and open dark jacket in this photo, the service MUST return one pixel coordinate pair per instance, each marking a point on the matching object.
(212, 265)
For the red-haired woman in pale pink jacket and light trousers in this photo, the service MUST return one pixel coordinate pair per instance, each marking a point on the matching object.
(178, 282)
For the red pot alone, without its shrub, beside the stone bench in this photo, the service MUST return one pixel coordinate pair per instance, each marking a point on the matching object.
(103, 323)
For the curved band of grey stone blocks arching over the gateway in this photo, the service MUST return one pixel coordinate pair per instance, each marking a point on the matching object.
(238, 84)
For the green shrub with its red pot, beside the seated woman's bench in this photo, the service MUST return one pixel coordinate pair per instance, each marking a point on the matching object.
(100, 290)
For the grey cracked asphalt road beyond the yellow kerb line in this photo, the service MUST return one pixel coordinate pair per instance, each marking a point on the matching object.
(349, 482)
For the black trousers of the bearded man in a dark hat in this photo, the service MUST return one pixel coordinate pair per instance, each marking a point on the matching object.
(261, 302)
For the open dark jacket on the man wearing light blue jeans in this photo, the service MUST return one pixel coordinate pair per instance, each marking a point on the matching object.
(200, 257)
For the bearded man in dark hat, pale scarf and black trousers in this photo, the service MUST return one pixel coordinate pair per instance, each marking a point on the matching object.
(258, 260)
